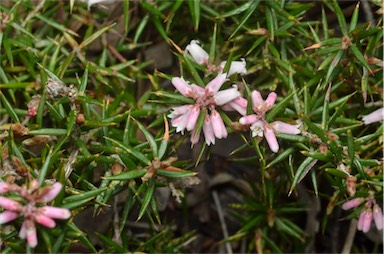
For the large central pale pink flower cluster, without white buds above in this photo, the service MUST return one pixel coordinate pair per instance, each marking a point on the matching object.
(206, 100)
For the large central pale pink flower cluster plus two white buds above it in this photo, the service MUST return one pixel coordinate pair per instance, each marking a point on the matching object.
(207, 99)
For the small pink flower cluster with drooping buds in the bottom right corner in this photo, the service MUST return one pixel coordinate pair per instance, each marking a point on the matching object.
(367, 213)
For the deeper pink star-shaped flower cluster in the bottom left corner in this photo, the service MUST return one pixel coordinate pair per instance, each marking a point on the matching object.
(33, 213)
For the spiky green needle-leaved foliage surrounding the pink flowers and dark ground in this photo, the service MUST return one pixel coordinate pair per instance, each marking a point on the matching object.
(327, 70)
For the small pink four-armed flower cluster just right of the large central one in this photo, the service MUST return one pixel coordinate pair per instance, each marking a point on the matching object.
(260, 127)
